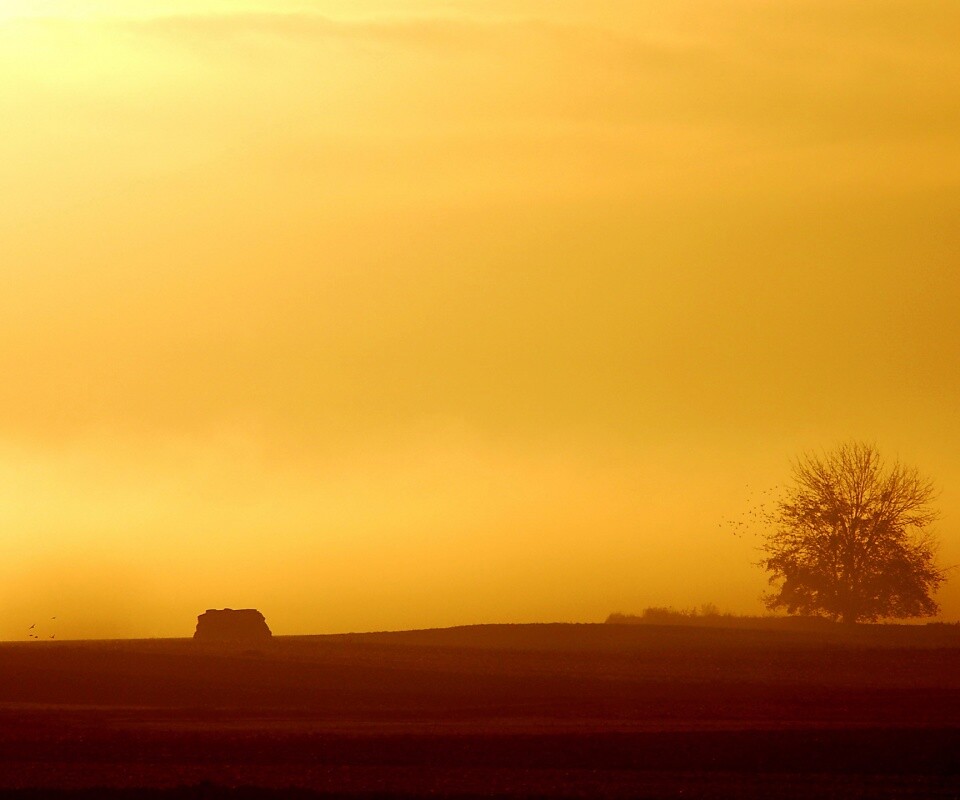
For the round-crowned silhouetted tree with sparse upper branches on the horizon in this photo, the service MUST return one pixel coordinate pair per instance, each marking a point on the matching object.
(850, 539)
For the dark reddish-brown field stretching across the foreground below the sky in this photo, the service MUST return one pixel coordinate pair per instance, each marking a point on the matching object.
(566, 711)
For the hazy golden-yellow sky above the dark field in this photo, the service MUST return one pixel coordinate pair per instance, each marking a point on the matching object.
(387, 314)
